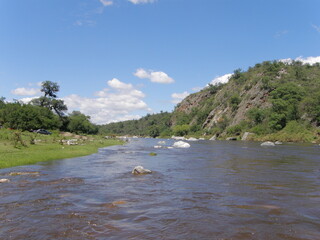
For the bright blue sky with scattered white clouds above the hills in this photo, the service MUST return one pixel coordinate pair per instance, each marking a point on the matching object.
(121, 59)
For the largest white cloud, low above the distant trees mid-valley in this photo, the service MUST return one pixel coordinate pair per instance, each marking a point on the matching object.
(119, 103)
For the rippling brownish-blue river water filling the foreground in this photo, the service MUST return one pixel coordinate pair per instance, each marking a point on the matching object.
(212, 190)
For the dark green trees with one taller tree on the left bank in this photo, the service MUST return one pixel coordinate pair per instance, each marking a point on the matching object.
(45, 112)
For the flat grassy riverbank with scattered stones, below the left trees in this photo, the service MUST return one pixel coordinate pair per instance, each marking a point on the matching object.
(23, 148)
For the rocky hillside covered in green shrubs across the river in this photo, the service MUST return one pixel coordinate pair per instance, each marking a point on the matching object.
(273, 100)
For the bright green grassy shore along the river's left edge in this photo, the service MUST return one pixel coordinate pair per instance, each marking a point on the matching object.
(48, 148)
